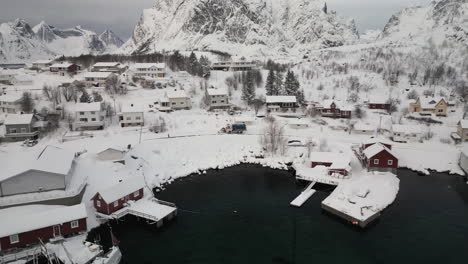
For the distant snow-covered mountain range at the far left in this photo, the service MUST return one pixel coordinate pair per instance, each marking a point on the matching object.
(21, 42)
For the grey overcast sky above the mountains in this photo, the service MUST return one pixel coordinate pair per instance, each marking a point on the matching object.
(122, 15)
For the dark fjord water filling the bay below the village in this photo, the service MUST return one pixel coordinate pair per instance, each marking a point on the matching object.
(242, 215)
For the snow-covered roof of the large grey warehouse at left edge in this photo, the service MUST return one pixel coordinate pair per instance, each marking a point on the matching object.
(50, 159)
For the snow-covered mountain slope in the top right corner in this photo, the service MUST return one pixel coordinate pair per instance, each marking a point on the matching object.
(442, 20)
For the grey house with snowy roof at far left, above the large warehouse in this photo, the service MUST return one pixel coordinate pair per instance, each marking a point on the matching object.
(20, 127)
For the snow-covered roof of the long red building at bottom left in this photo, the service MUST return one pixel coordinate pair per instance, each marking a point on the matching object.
(38, 219)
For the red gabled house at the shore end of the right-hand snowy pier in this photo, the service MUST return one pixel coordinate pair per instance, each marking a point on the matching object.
(379, 157)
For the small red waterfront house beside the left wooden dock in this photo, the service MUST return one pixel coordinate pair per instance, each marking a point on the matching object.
(114, 198)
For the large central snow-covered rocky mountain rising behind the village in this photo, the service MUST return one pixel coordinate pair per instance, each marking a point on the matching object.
(241, 27)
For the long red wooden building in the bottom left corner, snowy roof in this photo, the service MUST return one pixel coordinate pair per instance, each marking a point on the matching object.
(27, 229)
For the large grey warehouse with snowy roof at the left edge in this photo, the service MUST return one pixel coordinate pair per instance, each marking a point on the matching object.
(47, 170)
